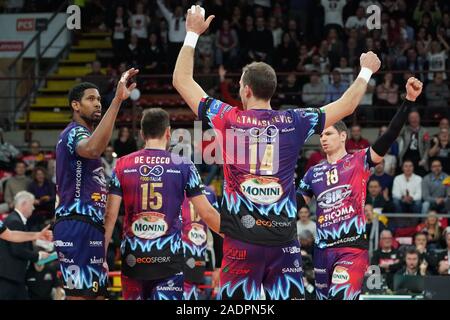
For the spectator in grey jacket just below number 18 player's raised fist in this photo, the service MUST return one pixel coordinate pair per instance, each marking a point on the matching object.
(414, 141)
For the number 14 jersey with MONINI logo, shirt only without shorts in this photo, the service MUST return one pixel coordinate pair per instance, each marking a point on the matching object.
(260, 150)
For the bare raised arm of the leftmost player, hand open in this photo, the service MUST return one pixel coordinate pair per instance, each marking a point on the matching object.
(93, 147)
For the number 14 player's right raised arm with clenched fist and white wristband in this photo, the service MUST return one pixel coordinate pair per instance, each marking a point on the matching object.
(351, 98)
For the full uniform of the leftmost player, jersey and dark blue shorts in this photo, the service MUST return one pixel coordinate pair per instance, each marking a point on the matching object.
(81, 201)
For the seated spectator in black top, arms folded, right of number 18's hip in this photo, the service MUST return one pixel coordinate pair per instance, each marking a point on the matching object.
(387, 257)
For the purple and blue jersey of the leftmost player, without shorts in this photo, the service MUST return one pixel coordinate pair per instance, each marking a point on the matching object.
(80, 182)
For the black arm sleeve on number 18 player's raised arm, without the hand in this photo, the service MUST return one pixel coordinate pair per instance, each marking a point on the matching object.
(385, 141)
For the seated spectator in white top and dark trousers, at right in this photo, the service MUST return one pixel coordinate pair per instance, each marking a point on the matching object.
(407, 190)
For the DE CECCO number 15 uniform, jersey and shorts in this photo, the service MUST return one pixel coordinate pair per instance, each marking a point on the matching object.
(153, 185)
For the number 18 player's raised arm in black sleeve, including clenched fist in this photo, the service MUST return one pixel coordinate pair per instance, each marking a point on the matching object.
(384, 142)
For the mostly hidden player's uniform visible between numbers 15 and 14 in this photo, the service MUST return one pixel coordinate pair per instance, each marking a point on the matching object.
(194, 237)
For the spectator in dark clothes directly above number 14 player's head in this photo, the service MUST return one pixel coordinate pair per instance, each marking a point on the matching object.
(261, 43)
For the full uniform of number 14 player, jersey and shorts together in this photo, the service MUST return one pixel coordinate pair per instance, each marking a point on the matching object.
(258, 210)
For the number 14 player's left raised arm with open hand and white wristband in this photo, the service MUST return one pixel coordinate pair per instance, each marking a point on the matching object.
(183, 75)
